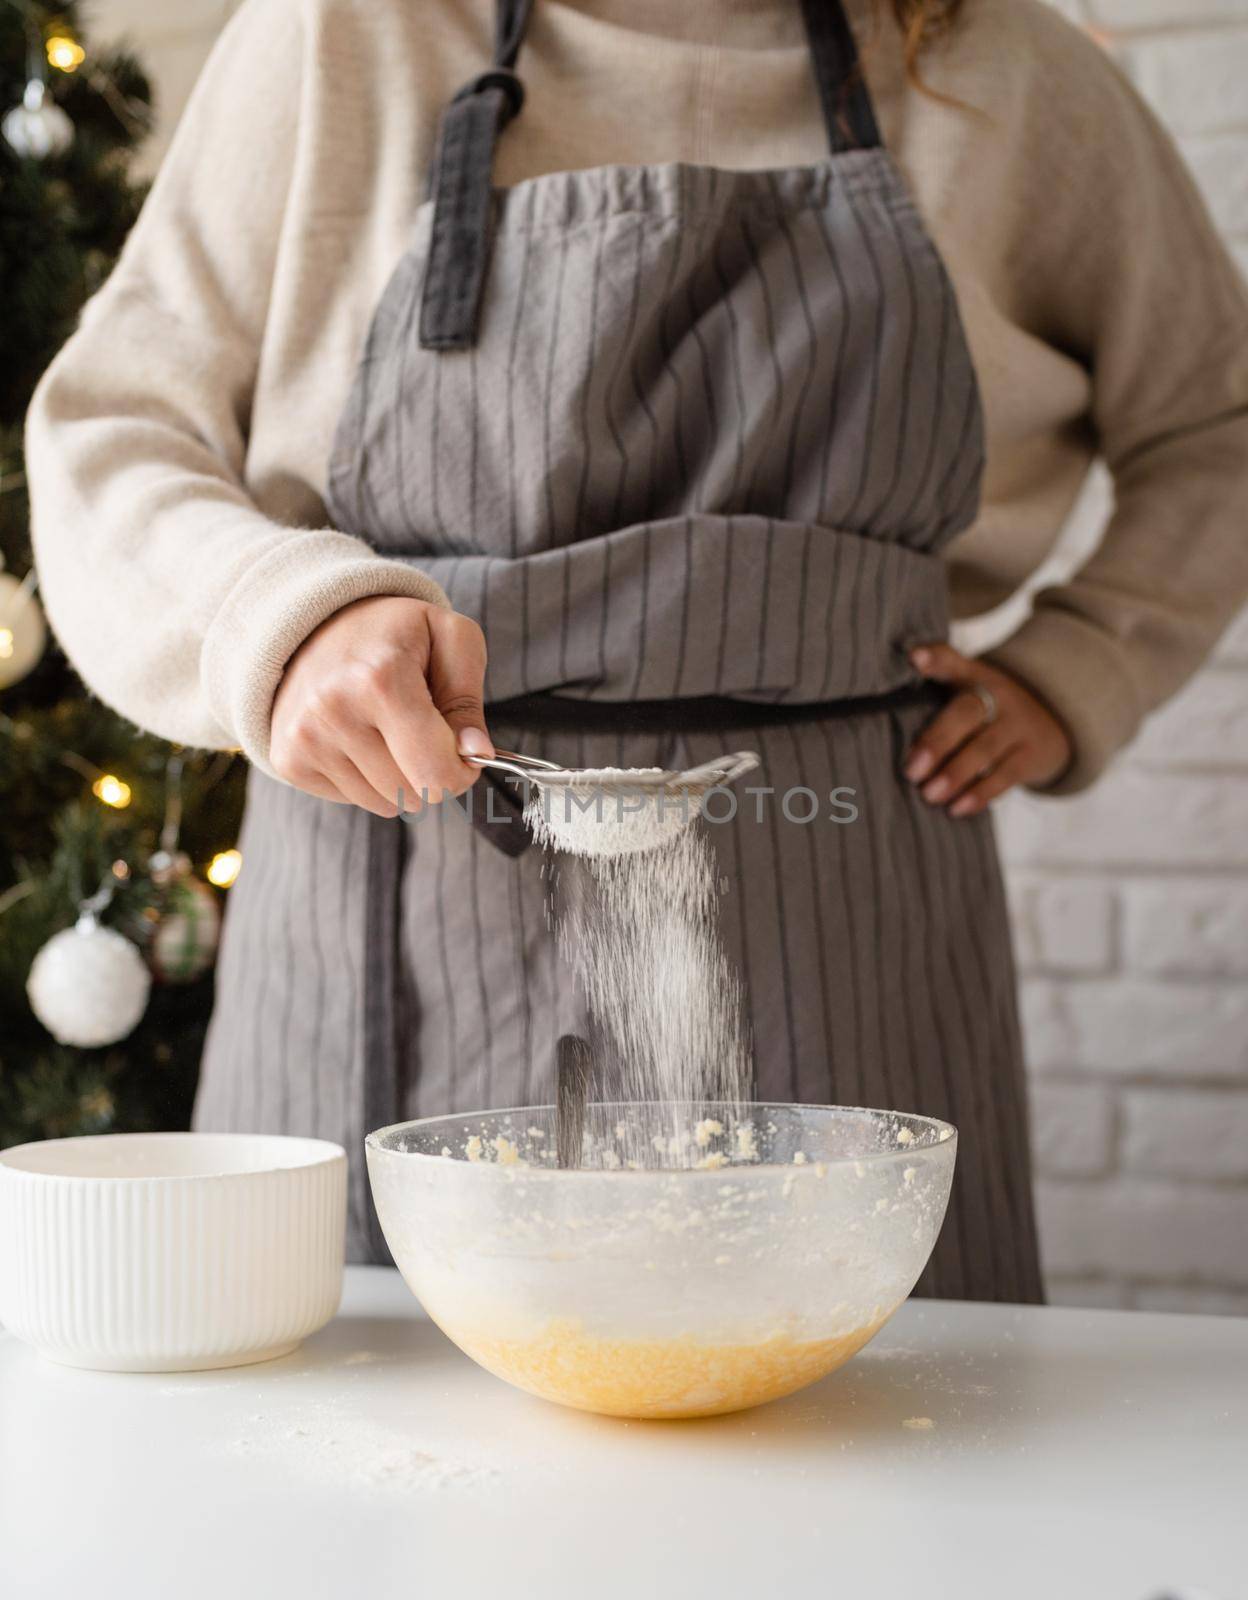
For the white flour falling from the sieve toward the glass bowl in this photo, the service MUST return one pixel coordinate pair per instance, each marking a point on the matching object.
(639, 922)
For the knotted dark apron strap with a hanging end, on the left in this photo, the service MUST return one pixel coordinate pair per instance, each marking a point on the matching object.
(462, 188)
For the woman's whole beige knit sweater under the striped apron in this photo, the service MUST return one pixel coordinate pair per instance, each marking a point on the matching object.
(178, 444)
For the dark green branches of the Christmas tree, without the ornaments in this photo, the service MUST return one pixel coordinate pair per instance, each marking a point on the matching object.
(63, 225)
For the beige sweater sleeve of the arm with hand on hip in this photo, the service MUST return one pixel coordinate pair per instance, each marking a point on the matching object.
(1130, 278)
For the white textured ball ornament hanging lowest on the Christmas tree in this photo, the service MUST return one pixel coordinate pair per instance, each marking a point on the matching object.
(89, 986)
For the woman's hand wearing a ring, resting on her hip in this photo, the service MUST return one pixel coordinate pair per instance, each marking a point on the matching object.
(993, 735)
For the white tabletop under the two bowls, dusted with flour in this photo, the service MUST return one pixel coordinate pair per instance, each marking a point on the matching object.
(1073, 1454)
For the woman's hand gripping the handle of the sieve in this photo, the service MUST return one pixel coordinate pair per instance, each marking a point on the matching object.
(380, 703)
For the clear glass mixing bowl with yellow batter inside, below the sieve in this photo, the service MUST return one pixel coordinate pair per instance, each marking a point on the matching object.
(703, 1258)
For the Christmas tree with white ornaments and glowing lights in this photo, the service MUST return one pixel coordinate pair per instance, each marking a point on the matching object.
(110, 841)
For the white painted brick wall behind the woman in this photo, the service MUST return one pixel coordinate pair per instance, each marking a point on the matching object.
(1132, 903)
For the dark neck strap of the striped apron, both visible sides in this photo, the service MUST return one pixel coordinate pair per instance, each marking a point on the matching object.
(462, 180)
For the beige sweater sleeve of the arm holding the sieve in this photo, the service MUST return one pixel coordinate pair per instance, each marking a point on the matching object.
(174, 596)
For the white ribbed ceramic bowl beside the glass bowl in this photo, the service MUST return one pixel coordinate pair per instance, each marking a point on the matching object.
(170, 1252)
